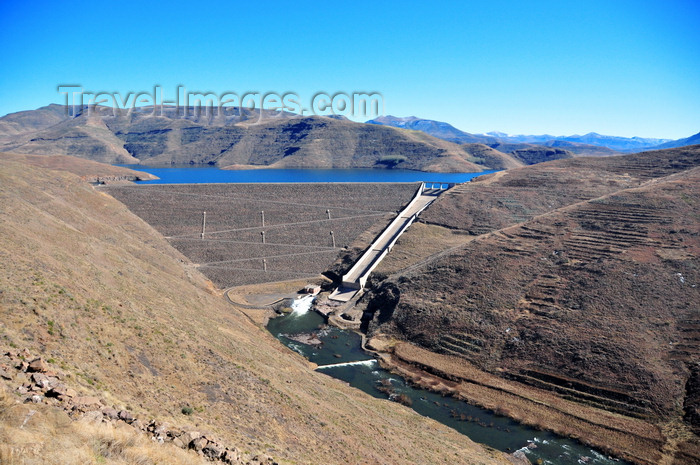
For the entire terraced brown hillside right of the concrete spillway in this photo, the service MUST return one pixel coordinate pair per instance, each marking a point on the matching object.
(578, 277)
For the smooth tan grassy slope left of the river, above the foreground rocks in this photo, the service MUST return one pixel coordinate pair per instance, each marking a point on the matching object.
(104, 298)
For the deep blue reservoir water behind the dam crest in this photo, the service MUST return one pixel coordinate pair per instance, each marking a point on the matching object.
(210, 174)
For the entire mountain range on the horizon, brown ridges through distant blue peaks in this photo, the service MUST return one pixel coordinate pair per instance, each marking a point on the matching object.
(258, 138)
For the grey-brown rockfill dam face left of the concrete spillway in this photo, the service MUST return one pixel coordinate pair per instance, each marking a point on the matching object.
(259, 233)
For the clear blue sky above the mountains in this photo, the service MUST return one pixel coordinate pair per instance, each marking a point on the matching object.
(629, 68)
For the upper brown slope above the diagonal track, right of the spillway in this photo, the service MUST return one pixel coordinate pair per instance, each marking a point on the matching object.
(497, 200)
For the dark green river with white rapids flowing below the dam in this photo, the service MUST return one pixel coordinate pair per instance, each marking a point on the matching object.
(306, 332)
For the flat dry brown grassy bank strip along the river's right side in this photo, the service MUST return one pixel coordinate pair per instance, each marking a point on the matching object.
(631, 439)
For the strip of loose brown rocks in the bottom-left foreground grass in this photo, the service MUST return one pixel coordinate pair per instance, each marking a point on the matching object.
(36, 381)
